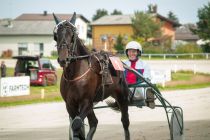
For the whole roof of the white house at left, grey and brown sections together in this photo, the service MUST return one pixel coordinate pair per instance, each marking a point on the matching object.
(32, 24)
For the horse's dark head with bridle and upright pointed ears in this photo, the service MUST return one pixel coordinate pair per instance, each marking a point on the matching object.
(65, 35)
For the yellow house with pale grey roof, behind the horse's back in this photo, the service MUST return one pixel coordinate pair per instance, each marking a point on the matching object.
(107, 28)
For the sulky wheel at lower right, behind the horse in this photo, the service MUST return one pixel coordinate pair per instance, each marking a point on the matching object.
(177, 125)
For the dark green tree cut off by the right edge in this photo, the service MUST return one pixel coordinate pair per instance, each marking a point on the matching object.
(203, 26)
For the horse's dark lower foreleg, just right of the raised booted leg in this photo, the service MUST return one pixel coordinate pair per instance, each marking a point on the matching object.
(93, 122)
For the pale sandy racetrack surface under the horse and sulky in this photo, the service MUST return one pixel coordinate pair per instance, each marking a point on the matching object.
(49, 121)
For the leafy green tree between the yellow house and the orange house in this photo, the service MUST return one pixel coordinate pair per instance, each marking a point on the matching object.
(144, 26)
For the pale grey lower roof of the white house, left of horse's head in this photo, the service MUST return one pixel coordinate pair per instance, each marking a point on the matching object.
(14, 27)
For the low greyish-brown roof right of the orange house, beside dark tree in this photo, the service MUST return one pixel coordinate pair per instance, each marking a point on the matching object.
(184, 33)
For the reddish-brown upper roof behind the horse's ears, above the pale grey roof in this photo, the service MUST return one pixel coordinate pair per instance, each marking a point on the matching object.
(48, 17)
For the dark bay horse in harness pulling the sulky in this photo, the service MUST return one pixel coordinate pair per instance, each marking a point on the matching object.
(81, 81)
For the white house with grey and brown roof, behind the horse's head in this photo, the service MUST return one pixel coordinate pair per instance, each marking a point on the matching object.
(33, 33)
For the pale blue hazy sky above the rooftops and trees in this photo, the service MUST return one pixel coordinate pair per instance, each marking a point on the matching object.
(185, 10)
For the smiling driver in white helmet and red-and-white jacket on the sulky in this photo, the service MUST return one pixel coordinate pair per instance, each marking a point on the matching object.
(133, 51)
